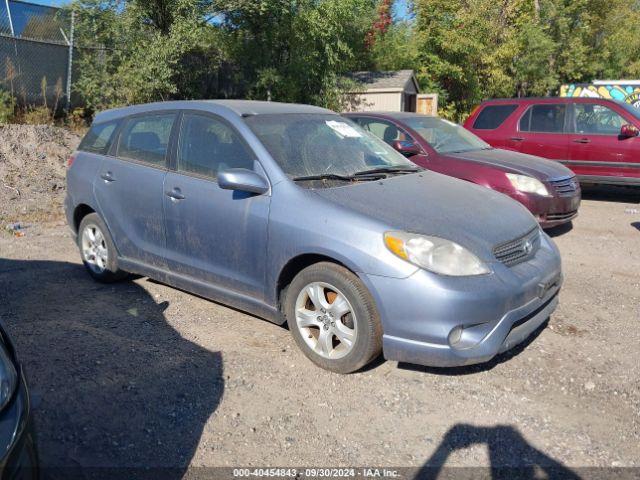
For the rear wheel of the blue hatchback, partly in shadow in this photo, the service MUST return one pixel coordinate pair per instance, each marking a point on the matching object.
(98, 253)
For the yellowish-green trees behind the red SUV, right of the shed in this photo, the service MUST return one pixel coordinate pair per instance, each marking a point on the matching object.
(477, 49)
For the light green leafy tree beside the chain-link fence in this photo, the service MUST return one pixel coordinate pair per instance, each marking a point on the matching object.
(143, 51)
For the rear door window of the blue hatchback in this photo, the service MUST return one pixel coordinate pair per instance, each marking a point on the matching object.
(145, 138)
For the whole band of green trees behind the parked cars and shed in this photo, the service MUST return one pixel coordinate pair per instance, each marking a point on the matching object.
(134, 51)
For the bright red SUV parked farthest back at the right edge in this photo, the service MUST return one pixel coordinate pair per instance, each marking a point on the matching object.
(595, 137)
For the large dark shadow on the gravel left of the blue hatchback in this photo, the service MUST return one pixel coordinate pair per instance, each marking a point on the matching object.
(116, 391)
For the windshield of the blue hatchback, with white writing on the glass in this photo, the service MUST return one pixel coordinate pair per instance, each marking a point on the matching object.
(306, 145)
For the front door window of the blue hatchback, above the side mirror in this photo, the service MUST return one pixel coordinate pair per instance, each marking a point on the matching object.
(208, 145)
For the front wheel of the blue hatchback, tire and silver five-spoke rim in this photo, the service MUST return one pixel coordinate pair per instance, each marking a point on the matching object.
(333, 318)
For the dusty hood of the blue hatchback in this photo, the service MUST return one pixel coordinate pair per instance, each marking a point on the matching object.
(433, 204)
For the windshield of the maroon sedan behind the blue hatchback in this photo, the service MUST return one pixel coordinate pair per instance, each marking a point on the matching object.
(445, 136)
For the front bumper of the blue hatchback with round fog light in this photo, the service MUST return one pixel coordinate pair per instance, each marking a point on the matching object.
(494, 312)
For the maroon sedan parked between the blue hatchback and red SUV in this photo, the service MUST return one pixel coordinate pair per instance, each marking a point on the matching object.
(549, 190)
